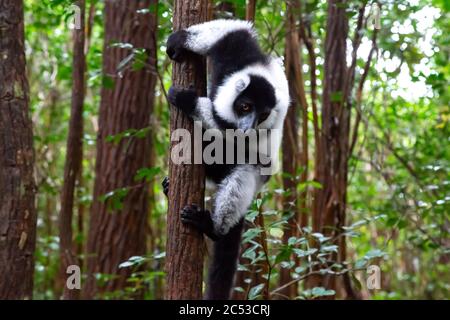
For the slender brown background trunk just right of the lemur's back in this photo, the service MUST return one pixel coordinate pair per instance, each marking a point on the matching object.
(293, 158)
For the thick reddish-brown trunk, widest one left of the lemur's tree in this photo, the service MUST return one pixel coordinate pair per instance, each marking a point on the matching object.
(118, 225)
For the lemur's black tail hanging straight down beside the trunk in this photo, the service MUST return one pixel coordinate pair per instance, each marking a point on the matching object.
(224, 264)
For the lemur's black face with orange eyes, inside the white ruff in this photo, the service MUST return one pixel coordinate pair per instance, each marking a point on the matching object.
(254, 105)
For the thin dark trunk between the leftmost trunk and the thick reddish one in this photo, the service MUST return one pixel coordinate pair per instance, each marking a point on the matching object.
(73, 156)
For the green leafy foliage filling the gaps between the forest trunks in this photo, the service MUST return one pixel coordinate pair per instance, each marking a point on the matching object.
(399, 186)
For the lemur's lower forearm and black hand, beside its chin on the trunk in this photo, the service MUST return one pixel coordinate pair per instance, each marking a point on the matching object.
(198, 108)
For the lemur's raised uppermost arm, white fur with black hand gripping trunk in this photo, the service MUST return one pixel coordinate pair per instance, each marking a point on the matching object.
(202, 37)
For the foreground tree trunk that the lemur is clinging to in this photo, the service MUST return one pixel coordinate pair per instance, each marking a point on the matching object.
(184, 259)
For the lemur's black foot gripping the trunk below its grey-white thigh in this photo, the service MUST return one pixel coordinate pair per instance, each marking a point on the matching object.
(200, 219)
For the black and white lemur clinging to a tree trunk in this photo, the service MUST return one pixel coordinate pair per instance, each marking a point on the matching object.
(247, 90)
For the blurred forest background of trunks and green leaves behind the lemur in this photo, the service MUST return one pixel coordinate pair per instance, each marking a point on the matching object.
(365, 178)
